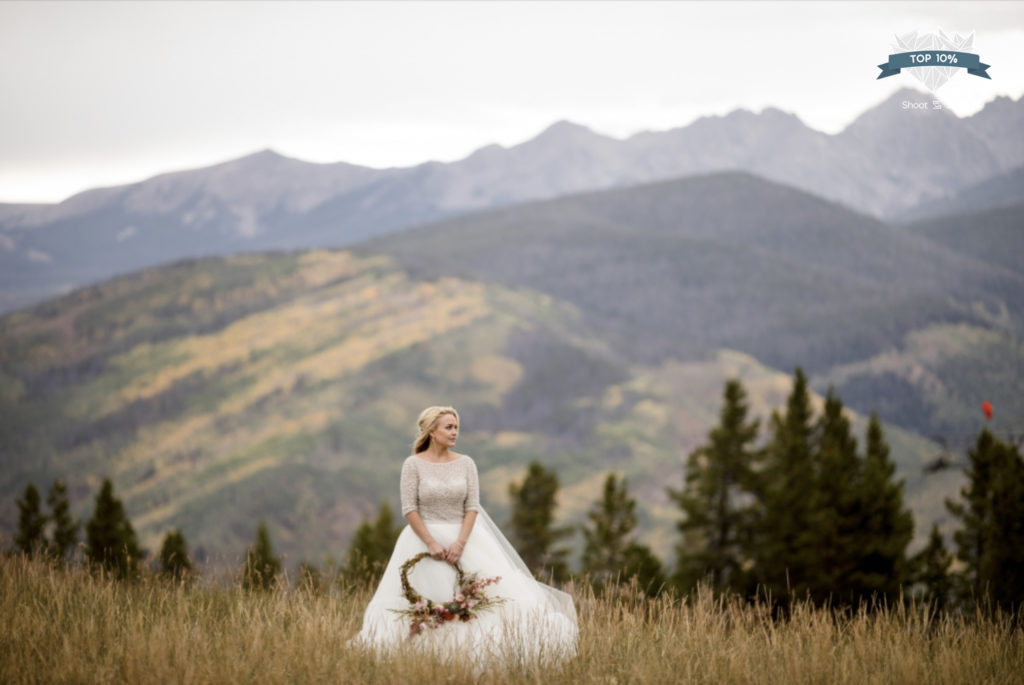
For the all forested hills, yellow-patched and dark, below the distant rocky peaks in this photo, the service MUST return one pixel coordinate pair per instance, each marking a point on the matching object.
(592, 332)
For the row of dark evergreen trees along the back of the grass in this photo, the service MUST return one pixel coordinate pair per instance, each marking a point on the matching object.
(799, 513)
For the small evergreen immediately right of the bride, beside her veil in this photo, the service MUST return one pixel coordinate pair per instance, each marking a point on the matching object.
(532, 530)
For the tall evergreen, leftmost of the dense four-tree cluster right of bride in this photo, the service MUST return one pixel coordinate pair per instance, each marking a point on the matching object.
(716, 500)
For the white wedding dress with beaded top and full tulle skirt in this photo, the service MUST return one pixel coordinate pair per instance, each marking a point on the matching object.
(535, 623)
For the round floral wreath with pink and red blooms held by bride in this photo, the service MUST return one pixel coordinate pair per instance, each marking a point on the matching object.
(470, 600)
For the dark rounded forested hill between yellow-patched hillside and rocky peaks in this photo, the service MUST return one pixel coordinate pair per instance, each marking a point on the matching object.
(726, 261)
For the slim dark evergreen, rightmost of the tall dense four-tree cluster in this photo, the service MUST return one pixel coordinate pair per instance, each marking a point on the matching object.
(886, 527)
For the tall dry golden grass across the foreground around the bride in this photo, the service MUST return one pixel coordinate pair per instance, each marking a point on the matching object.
(69, 627)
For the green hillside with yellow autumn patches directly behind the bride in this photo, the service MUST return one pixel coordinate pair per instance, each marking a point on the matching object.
(285, 388)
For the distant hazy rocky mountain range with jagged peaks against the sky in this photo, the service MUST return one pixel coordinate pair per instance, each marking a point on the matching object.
(890, 163)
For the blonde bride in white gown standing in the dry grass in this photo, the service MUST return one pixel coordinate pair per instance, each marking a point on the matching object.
(449, 529)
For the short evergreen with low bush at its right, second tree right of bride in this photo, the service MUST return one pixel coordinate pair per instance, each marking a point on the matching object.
(611, 553)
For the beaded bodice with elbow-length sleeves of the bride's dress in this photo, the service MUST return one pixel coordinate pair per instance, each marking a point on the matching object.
(441, 492)
